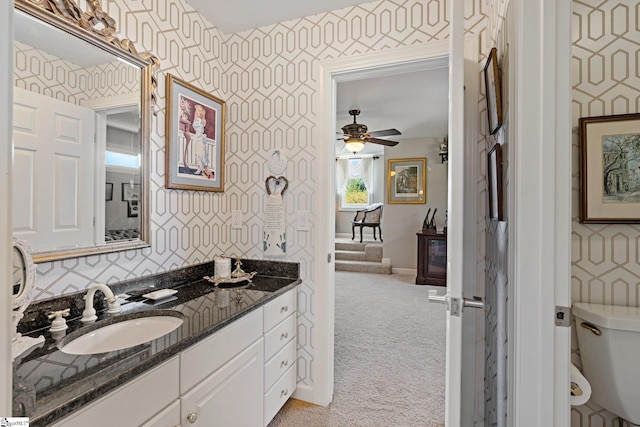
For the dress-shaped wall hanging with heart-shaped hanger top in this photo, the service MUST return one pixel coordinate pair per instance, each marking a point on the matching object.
(275, 227)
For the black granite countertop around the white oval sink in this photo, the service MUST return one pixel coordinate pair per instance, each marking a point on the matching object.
(63, 382)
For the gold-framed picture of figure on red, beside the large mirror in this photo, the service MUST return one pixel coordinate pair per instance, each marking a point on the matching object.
(195, 131)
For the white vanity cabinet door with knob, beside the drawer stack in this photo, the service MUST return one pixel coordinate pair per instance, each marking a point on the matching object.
(230, 397)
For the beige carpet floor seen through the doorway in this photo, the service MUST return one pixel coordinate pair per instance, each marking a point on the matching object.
(389, 357)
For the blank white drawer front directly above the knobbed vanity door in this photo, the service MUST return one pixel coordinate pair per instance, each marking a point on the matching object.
(211, 353)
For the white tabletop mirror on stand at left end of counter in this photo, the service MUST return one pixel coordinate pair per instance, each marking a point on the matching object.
(24, 276)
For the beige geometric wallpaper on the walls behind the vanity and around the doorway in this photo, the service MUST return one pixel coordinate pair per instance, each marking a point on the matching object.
(267, 77)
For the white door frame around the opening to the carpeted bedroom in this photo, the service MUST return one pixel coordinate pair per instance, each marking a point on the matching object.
(329, 72)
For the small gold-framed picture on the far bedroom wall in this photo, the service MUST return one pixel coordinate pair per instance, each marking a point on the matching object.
(407, 181)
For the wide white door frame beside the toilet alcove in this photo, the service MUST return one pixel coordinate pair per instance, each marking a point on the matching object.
(540, 212)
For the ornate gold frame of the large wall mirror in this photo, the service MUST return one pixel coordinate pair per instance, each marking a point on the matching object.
(95, 26)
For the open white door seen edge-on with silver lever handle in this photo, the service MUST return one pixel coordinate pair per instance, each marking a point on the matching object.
(462, 380)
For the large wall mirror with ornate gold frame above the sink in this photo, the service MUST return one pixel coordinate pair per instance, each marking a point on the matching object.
(83, 101)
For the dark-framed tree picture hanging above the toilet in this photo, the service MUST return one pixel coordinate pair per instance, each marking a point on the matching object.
(610, 169)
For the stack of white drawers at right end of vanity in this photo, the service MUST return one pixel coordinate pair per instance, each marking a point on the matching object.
(280, 352)
